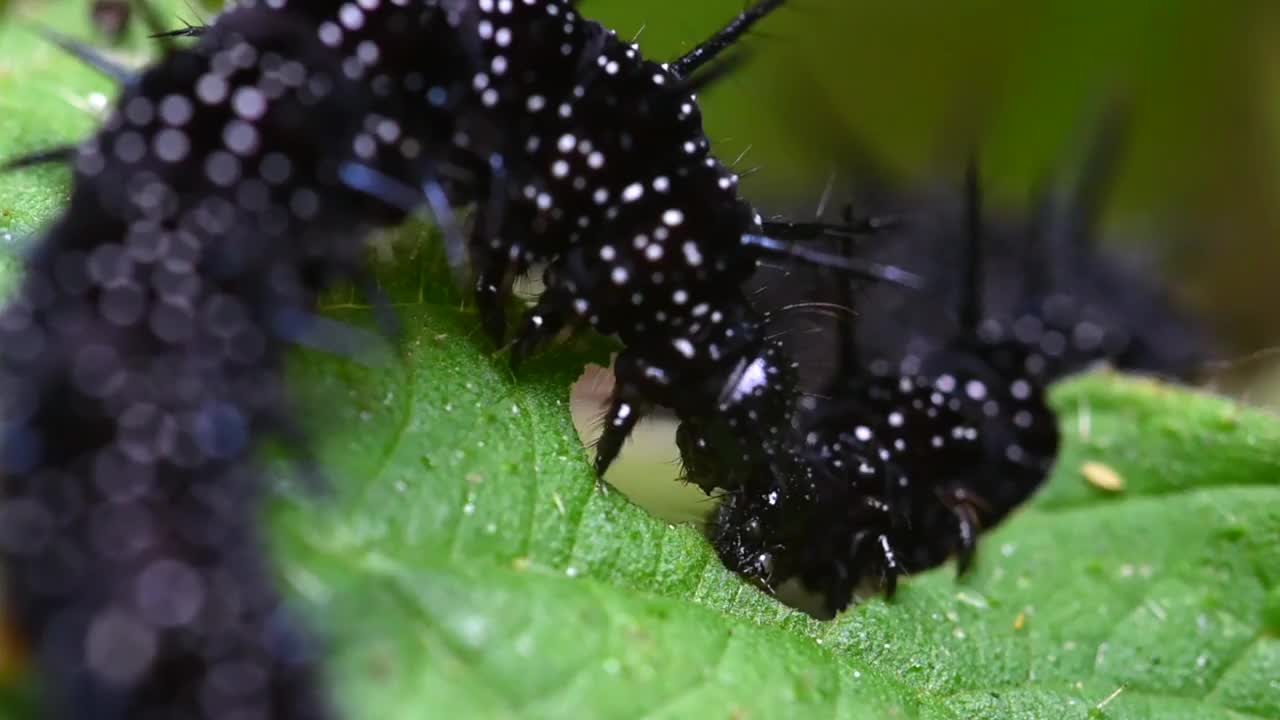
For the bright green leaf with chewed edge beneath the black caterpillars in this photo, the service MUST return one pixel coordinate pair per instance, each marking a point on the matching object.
(465, 563)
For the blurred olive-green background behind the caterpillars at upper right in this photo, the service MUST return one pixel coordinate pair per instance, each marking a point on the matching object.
(916, 81)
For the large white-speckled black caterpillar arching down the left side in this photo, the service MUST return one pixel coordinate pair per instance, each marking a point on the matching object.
(235, 181)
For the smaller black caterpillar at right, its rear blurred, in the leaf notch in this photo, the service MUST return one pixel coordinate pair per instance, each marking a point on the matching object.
(909, 453)
